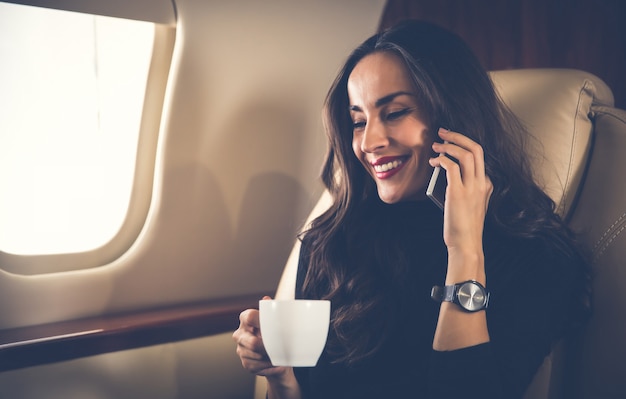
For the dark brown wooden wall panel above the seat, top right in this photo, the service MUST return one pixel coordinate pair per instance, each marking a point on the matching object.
(507, 34)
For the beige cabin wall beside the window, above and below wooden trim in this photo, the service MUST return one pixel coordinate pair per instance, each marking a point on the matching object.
(240, 148)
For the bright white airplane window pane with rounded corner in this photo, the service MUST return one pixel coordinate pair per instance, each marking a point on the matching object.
(72, 92)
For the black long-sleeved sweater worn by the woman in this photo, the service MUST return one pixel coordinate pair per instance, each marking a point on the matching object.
(533, 289)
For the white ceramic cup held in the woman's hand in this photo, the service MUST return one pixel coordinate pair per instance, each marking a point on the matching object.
(294, 331)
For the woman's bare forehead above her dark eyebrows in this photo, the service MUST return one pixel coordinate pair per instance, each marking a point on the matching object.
(377, 75)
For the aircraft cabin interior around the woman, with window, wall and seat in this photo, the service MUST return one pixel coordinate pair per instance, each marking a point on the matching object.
(158, 159)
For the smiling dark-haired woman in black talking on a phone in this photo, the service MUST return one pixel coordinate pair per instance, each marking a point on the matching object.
(407, 100)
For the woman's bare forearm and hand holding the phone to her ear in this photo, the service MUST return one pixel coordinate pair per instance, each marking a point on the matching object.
(467, 198)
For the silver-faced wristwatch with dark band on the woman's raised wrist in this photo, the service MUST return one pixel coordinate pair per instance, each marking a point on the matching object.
(470, 295)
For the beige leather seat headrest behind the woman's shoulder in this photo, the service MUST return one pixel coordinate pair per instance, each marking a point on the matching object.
(556, 106)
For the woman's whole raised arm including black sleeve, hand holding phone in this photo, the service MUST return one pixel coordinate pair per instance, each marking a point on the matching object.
(499, 361)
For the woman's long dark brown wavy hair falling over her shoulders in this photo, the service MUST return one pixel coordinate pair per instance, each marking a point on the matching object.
(454, 91)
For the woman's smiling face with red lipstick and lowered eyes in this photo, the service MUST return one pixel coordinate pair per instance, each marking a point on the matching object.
(390, 137)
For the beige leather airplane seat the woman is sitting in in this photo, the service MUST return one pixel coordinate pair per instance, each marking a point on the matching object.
(579, 157)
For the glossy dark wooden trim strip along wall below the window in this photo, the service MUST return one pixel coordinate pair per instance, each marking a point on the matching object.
(49, 343)
